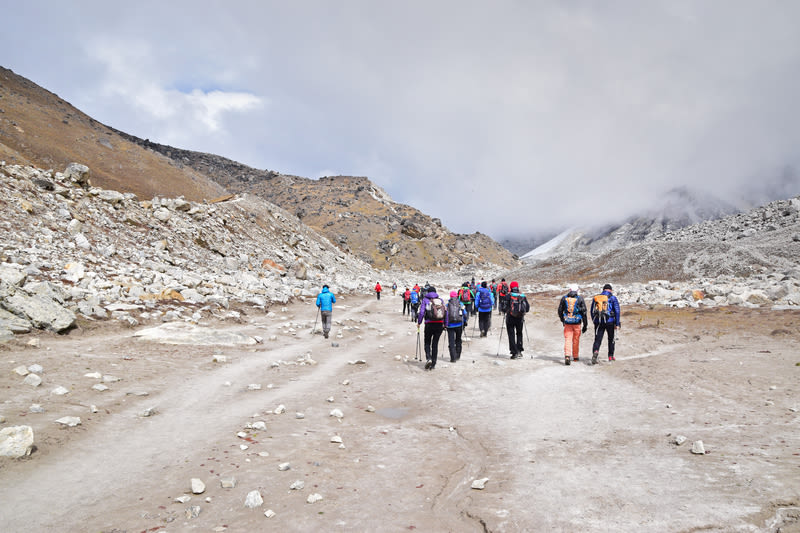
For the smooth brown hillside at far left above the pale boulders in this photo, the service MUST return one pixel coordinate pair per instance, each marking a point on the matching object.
(37, 127)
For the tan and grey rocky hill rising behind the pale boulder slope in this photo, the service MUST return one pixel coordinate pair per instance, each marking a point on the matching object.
(353, 213)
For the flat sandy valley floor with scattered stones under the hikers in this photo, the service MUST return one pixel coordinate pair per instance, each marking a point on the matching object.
(578, 448)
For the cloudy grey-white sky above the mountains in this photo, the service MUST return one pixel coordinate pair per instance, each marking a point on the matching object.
(505, 117)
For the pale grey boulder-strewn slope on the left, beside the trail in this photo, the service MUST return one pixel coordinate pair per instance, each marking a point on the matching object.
(72, 253)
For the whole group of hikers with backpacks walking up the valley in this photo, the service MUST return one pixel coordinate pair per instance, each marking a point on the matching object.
(424, 306)
